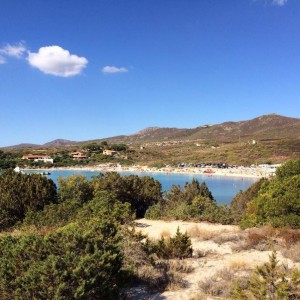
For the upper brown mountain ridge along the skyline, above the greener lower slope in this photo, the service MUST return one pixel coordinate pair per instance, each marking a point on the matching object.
(266, 127)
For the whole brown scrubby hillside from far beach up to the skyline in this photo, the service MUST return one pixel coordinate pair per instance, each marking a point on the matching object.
(268, 138)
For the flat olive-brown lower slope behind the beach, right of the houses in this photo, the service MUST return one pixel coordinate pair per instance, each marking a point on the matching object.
(234, 152)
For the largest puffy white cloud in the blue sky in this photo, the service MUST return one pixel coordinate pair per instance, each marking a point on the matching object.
(57, 61)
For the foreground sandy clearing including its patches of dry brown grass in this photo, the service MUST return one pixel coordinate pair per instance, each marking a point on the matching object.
(221, 254)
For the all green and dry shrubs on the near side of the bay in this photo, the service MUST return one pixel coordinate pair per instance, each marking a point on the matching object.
(80, 241)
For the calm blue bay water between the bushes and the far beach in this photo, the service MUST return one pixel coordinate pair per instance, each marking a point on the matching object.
(223, 188)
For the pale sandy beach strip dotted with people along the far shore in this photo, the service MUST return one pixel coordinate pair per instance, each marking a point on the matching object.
(246, 172)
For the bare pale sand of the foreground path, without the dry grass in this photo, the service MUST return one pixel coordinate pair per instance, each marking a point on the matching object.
(222, 256)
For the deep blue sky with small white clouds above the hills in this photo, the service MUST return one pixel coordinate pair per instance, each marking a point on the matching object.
(83, 70)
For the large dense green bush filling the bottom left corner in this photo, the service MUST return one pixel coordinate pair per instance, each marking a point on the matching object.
(75, 262)
